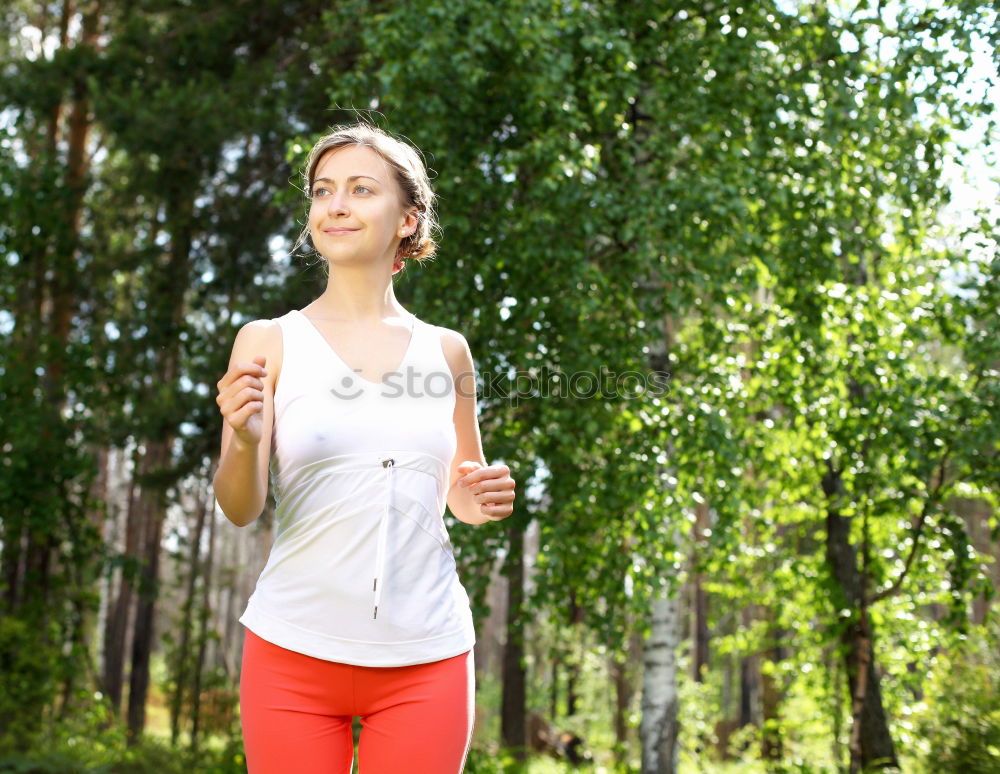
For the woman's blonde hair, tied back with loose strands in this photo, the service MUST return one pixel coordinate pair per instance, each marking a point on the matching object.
(410, 172)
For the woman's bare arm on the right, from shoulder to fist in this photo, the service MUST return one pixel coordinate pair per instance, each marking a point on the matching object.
(489, 494)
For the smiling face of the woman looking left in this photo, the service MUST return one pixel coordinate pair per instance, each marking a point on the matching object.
(356, 212)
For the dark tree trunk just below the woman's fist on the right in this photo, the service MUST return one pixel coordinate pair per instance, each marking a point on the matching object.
(513, 729)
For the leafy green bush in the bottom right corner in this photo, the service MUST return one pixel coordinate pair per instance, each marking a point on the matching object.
(959, 720)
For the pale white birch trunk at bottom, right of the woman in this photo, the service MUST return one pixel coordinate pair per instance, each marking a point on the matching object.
(660, 725)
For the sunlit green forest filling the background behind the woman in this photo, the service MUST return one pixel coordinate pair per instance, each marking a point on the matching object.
(735, 336)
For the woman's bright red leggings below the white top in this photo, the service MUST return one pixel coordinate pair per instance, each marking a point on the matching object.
(297, 713)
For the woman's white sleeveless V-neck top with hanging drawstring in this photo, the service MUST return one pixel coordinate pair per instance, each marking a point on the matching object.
(362, 569)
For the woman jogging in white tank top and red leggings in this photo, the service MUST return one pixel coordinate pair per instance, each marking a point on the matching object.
(365, 418)
